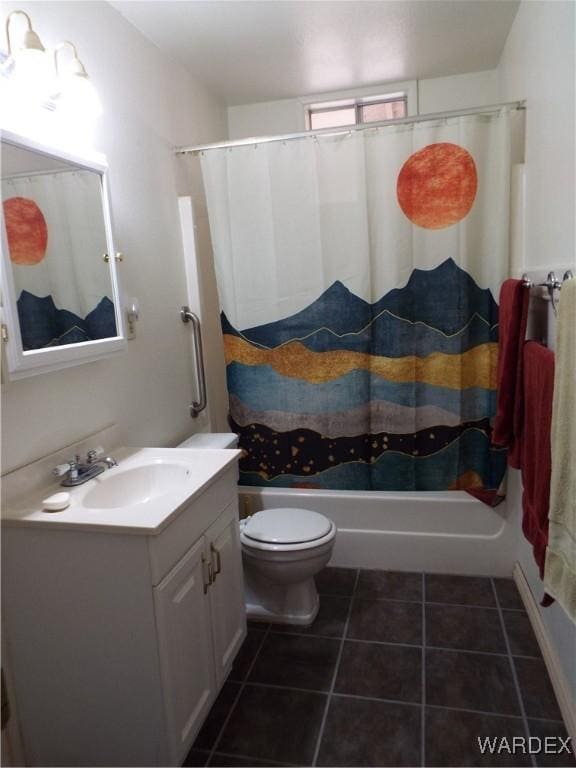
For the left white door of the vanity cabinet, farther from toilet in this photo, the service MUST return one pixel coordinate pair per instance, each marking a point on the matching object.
(186, 653)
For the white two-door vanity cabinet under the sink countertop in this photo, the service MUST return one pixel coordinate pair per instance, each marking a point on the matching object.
(119, 642)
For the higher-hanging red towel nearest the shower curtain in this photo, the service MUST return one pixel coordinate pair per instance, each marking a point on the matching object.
(514, 299)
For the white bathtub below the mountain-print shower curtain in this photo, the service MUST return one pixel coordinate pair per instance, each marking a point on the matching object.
(437, 532)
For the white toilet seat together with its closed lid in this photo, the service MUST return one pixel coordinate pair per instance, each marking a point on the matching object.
(285, 529)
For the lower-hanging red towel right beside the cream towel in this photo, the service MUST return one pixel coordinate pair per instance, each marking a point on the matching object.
(536, 453)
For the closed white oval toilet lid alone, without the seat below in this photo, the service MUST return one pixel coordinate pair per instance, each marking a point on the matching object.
(287, 526)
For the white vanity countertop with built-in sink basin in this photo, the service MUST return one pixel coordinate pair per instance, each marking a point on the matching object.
(142, 495)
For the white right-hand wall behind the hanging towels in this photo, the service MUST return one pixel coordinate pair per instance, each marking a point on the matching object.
(538, 64)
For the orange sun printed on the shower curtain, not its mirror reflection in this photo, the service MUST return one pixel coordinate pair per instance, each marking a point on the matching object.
(437, 185)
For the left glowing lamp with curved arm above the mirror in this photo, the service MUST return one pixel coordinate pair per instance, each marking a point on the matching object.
(27, 63)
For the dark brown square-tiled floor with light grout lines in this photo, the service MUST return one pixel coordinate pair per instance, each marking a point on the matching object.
(399, 669)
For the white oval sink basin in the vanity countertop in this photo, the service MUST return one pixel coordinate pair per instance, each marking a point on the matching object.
(136, 485)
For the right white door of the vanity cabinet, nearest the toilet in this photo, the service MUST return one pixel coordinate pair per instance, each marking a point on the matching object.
(227, 590)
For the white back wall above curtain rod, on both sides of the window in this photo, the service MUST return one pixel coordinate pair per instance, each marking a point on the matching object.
(434, 95)
